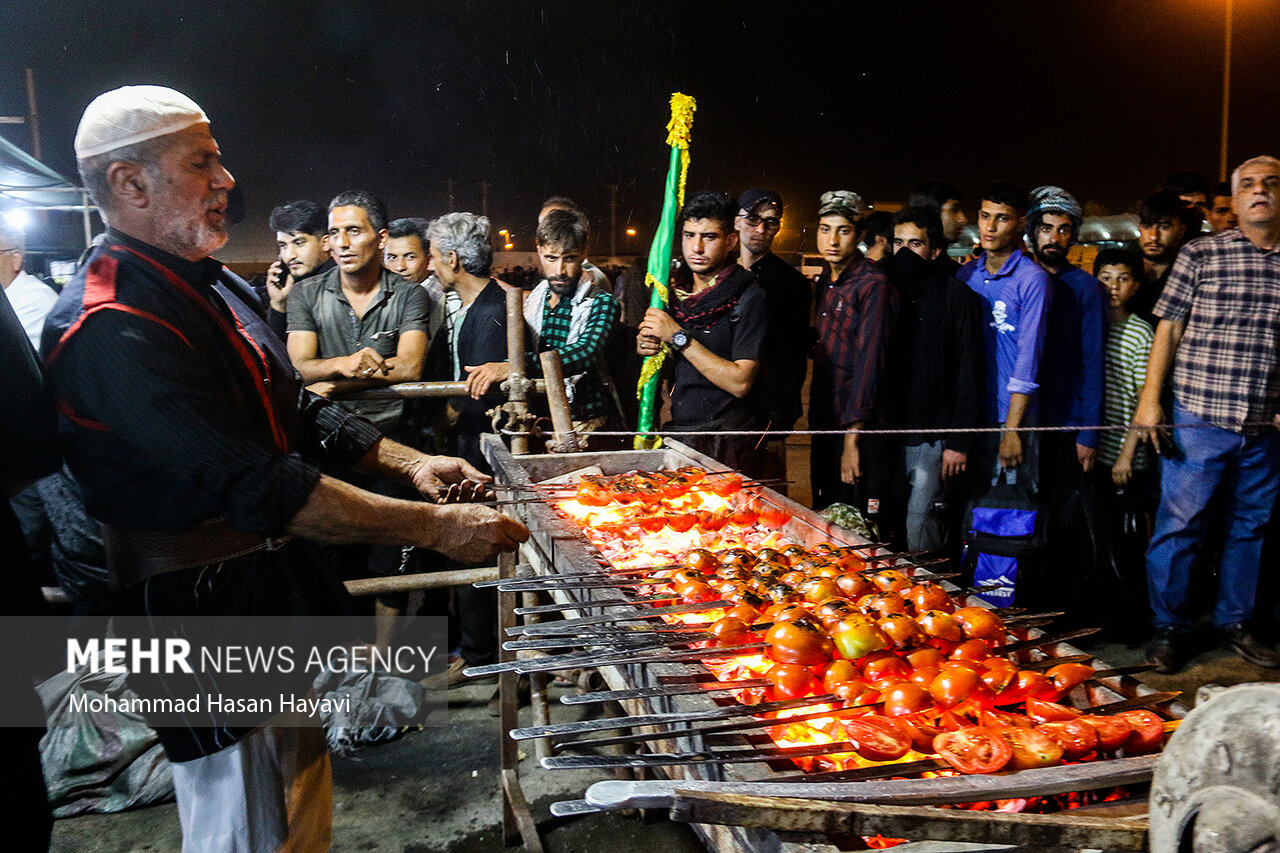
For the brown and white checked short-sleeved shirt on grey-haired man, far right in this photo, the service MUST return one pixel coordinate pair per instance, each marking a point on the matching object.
(1228, 366)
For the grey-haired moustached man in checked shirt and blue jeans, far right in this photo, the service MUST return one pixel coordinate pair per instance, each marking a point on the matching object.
(1219, 325)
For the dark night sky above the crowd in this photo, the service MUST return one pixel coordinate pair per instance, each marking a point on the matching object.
(309, 99)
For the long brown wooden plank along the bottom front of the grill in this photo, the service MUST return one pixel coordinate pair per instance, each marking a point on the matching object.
(915, 823)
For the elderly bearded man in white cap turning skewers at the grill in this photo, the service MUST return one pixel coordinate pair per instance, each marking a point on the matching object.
(200, 451)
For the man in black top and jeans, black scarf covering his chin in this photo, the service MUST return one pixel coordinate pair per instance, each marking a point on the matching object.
(932, 372)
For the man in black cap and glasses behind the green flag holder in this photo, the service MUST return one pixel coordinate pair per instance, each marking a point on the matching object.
(788, 297)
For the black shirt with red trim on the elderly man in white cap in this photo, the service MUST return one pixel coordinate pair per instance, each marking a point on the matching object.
(179, 404)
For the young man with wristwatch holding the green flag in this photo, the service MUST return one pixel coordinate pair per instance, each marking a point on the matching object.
(716, 330)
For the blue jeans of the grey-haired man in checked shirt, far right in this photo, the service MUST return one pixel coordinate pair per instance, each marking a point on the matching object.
(1249, 471)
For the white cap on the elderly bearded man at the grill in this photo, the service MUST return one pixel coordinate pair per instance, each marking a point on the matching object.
(134, 115)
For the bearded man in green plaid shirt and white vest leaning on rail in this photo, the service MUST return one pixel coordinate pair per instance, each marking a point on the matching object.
(572, 313)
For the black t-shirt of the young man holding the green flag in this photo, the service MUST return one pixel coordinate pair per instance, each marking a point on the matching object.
(734, 335)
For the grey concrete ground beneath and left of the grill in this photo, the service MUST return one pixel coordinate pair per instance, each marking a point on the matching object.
(433, 791)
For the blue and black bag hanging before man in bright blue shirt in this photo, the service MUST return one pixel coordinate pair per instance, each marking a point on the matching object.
(1004, 526)
